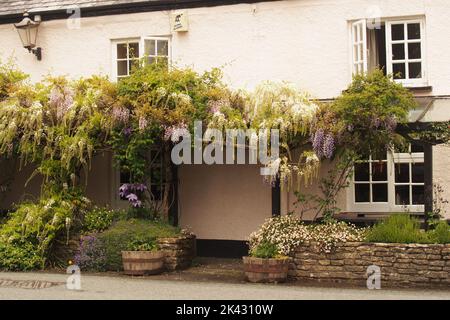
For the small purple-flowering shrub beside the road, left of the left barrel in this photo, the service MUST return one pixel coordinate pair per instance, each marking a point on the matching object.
(91, 254)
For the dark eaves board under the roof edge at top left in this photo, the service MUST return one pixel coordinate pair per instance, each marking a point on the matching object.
(126, 8)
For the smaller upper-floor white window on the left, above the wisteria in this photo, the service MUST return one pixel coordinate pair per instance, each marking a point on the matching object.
(127, 53)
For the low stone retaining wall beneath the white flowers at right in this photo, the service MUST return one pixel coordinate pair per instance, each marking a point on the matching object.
(401, 264)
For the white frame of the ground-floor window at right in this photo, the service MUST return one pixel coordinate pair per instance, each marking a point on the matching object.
(390, 206)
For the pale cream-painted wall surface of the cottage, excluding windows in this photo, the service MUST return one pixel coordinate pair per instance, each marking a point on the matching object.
(302, 41)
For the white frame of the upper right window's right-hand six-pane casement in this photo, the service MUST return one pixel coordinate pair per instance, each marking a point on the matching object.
(423, 60)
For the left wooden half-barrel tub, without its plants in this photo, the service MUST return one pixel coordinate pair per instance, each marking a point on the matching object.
(139, 263)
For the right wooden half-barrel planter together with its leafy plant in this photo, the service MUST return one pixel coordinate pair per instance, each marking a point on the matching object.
(266, 264)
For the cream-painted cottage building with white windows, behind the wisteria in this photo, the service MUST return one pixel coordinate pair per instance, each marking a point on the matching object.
(316, 44)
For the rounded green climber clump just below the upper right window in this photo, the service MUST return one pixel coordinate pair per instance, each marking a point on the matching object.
(372, 107)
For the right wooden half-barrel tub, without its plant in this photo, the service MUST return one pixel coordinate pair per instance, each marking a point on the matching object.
(266, 270)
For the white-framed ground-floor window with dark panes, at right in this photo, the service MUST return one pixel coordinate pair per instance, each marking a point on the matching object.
(392, 183)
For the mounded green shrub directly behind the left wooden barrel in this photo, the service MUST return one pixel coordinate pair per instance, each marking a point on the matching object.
(122, 233)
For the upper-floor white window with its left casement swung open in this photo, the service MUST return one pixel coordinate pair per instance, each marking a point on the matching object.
(396, 46)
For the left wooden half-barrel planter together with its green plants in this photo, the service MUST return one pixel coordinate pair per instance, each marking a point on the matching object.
(143, 257)
